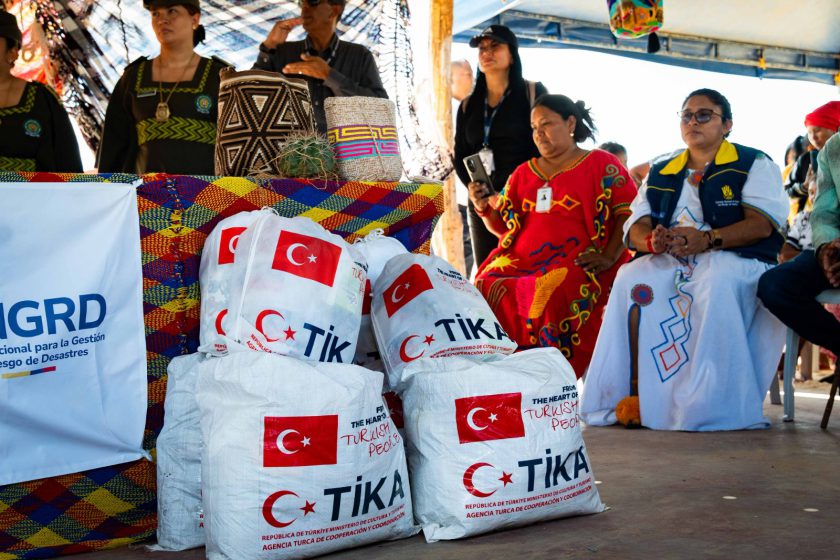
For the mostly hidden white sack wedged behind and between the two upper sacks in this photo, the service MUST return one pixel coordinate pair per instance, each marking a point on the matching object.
(377, 249)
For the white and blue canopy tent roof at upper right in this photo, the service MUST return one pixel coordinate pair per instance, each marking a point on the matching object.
(797, 40)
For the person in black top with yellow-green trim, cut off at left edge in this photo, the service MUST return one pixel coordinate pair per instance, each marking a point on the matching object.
(35, 131)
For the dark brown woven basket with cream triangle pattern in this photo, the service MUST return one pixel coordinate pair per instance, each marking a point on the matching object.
(258, 110)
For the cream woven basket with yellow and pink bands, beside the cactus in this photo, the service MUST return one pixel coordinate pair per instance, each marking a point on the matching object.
(363, 133)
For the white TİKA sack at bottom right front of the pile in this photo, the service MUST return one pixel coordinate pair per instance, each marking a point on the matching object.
(495, 445)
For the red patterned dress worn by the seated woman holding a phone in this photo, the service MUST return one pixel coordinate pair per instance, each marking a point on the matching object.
(539, 295)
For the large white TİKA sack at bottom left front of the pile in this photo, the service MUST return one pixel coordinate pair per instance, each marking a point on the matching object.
(300, 458)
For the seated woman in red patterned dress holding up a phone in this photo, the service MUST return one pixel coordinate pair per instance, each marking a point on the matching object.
(559, 221)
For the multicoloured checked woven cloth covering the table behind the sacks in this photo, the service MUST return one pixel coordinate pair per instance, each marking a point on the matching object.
(113, 506)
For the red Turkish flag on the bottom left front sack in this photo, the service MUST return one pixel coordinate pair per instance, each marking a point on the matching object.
(300, 441)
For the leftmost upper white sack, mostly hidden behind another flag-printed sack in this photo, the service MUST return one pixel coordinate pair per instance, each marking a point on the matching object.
(217, 259)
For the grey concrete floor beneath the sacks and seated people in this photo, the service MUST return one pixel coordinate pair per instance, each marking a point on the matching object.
(666, 493)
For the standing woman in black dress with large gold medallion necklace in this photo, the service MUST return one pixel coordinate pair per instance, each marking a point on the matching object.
(162, 113)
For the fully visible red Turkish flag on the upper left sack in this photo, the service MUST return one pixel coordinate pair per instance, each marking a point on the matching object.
(307, 257)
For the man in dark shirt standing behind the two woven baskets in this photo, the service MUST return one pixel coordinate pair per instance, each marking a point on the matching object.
(332, 67)
